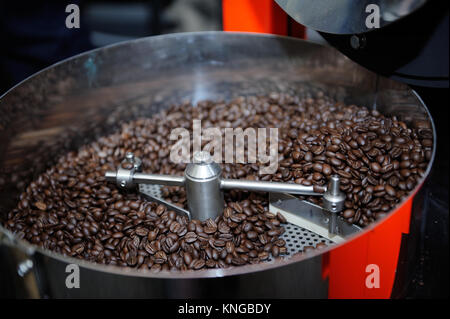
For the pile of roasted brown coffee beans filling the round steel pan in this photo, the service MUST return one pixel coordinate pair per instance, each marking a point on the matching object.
(72, 210)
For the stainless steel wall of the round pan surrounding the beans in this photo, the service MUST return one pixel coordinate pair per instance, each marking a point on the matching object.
(80, 99)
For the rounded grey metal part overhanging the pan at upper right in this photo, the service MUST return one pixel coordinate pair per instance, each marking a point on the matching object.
(346, 16)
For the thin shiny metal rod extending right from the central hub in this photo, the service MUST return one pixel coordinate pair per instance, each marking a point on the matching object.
(271, 187)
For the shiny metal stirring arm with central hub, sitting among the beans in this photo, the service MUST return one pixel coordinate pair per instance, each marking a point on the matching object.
(204, 187)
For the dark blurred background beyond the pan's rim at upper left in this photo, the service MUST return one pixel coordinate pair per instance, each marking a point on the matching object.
(34, 35)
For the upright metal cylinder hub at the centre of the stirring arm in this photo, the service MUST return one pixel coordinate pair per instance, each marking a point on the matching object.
(202, 182)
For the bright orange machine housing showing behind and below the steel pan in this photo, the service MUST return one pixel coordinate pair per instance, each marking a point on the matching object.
(346, 267)
